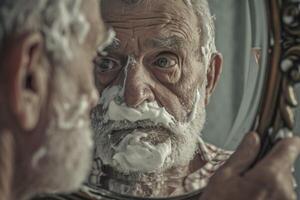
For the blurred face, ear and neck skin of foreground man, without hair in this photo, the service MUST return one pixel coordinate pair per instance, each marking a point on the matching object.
(47, 109)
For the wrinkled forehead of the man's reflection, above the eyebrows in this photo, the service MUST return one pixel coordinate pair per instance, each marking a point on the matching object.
(155, 15)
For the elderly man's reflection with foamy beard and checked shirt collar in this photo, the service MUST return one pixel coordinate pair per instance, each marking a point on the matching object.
(155, 81)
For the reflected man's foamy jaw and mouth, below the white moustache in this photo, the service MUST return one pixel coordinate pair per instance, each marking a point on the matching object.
(122, 142)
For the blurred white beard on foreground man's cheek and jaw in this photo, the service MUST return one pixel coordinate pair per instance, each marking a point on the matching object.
(63, 161)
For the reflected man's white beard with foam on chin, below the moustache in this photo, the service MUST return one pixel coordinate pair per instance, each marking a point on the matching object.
(144, 150)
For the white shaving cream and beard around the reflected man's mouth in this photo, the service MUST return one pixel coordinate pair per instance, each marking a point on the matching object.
(133, 154)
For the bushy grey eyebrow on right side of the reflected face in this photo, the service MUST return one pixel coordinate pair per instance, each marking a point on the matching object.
(173, 42)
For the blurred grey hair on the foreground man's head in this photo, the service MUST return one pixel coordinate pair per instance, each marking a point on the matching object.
(57, 20)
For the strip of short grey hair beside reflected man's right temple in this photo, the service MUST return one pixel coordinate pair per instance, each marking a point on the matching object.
(206, 27)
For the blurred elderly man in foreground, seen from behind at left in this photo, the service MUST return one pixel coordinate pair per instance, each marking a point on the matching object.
(46, 93)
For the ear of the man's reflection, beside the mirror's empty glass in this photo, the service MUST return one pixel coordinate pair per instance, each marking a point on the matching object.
(213, 75)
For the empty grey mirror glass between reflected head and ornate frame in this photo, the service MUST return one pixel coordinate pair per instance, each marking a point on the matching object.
(242, 38)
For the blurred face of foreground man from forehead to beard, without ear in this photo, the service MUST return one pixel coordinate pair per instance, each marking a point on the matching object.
(67, 144)
